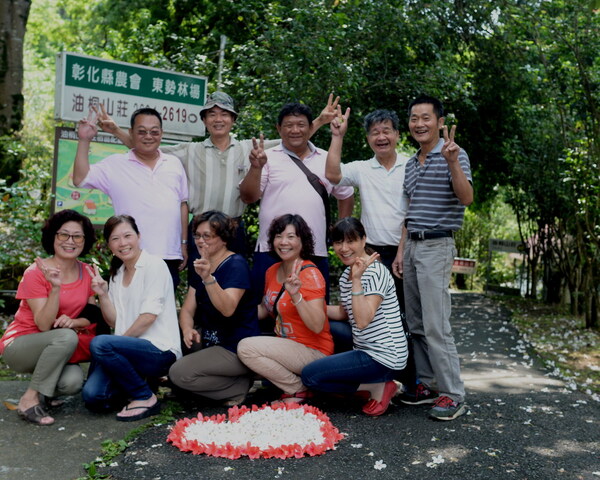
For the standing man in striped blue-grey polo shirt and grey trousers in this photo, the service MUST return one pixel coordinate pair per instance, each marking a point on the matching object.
(437, 188)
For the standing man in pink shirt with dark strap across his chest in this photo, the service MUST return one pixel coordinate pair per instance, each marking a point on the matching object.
(283, 187)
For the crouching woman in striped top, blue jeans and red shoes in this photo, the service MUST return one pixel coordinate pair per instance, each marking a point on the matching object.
(370, 304)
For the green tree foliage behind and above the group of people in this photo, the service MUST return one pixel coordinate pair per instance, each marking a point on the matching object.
(520, 77)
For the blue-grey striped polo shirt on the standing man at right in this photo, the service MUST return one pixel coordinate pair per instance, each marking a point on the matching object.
(433, 204)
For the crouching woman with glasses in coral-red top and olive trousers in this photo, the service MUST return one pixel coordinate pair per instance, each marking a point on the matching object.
(43, 336)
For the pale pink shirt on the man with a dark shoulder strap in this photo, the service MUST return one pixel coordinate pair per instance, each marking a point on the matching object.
(285, 189)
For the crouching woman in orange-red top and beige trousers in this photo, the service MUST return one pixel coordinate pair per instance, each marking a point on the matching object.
(295, 297)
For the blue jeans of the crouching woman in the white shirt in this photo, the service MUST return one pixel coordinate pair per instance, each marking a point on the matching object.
(119, 367)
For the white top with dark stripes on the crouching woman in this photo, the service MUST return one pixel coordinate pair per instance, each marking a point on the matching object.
(383, 339)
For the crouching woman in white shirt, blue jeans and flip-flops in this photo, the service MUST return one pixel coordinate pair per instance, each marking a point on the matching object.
(139, 304)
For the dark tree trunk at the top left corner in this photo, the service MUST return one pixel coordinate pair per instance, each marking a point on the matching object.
(13, 19)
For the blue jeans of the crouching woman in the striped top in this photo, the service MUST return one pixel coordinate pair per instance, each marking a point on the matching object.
(344, 372)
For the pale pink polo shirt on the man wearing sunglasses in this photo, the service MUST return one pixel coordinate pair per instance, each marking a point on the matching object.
(152, 197)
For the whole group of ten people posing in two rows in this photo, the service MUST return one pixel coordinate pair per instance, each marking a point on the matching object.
(410, 209)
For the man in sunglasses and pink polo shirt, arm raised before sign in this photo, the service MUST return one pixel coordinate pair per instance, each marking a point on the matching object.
(144, 183)
